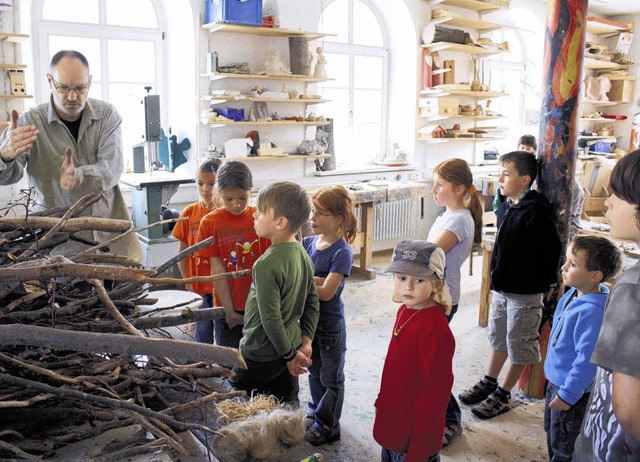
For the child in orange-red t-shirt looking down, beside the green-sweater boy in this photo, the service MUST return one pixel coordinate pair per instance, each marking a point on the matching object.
(236, 247)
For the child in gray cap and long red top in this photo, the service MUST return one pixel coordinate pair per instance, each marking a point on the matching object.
(417, 376)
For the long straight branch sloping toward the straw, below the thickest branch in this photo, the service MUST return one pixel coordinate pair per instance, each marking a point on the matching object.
(86, 398)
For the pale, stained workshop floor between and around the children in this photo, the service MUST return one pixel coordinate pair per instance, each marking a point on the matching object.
(517, 435)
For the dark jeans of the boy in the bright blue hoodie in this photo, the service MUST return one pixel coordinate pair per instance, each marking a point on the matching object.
(562, 427)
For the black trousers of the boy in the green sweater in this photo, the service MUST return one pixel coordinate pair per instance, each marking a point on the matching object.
(269, 377)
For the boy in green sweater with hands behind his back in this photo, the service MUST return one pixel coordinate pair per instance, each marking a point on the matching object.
(282, 308)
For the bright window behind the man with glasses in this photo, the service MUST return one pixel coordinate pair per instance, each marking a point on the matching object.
(123, 42)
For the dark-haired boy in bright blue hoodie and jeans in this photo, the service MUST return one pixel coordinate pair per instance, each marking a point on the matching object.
(590, 261)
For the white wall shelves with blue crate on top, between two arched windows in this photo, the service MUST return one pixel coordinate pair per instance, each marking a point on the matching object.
(260, 40)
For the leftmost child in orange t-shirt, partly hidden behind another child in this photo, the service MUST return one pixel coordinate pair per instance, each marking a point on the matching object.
(187, 233)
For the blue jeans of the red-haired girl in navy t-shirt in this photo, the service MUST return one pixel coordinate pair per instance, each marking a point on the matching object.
(326, 375)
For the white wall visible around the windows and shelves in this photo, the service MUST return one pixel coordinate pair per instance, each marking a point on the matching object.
(404, 22)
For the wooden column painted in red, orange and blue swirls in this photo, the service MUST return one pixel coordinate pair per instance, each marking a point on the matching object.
(565, 32)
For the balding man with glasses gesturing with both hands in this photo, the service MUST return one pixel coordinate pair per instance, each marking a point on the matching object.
(70, 146)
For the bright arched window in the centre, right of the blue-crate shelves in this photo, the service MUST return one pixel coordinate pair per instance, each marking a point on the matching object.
(357, 61)
